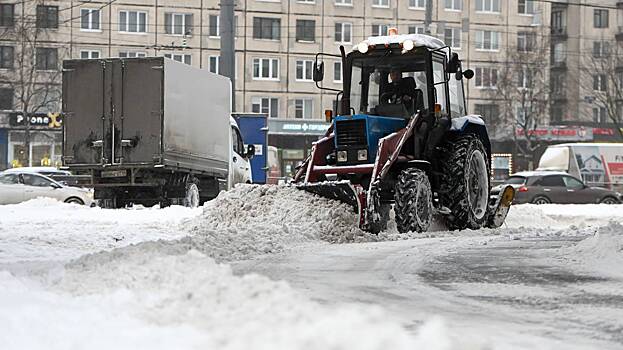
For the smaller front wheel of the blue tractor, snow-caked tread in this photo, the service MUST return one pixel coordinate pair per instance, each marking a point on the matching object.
(413, 201)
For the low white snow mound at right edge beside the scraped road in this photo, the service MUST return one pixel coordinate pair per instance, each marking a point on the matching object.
(601, 252)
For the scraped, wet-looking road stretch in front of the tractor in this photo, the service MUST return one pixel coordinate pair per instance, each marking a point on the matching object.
(507, 294)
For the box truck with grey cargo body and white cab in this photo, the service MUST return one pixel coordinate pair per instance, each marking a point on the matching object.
(151, 130)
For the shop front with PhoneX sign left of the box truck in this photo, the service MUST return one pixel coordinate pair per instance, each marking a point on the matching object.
(35, 140)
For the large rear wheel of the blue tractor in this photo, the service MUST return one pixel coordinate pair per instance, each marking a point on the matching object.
(465, 183)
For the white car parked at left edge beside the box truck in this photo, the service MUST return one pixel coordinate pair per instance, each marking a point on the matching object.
(17, 187)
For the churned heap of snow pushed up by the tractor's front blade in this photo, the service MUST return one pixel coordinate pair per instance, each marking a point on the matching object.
(251, 220)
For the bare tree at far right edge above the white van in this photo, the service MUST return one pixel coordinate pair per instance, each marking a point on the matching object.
(603, 70)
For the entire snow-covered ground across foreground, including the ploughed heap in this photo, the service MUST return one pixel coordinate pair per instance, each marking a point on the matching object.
(256, 269)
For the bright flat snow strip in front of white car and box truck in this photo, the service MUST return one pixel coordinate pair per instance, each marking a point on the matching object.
(46, 229)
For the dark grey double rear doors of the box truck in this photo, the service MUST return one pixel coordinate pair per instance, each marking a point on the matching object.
(113, 110)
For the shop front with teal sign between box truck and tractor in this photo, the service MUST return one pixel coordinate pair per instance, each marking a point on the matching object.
(293, 140)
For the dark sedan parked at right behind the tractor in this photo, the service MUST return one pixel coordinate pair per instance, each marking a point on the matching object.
(556, 187)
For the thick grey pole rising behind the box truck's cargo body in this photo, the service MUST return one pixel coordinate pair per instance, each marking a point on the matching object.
(227, 61)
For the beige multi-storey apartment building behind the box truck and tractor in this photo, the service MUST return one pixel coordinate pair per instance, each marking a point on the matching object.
(276, 42)
